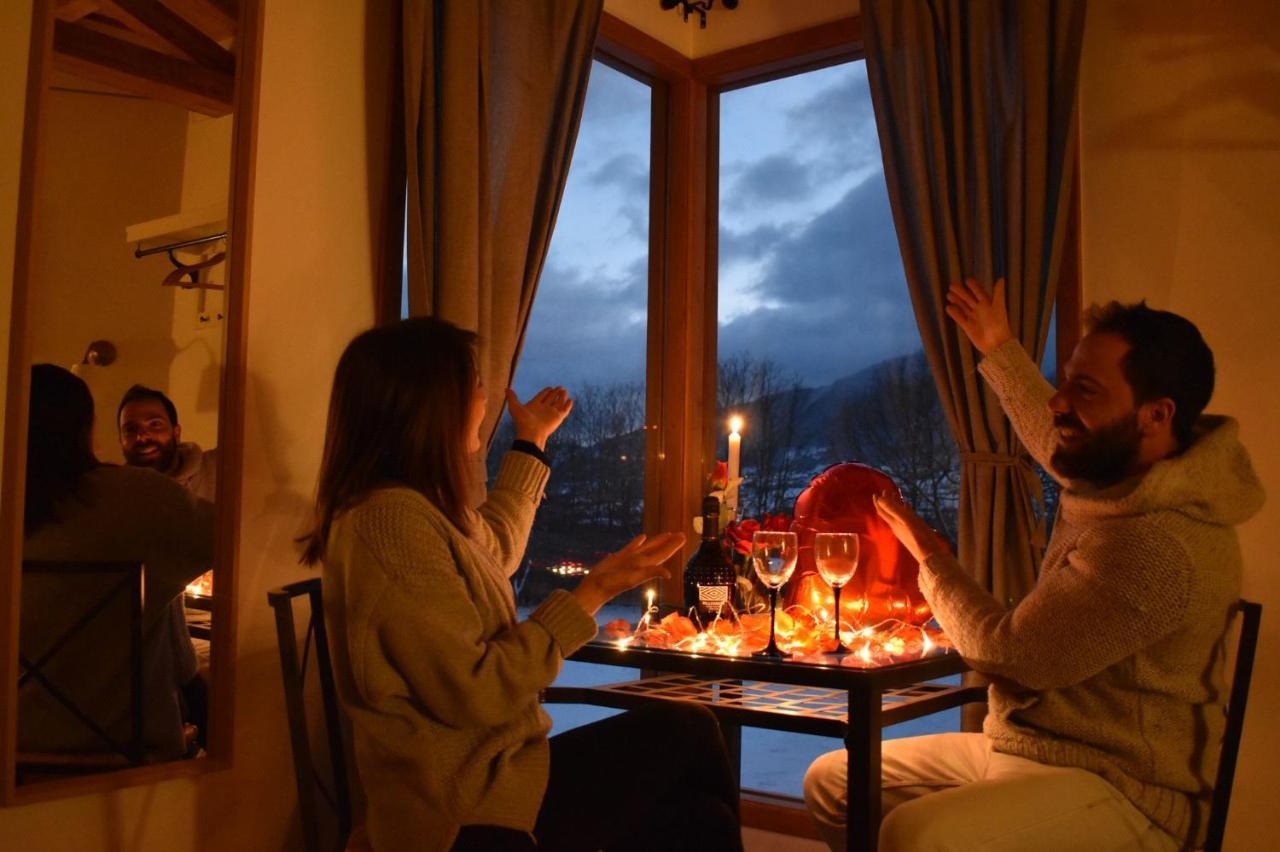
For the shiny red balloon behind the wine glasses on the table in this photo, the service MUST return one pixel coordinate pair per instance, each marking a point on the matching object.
(840, 501)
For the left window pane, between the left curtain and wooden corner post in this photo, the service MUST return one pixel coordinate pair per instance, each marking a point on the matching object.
(589, 333)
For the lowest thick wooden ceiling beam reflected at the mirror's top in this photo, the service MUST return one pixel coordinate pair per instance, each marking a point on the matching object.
(94, 56)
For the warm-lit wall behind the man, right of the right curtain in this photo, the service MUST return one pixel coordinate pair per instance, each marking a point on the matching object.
(1181, 134)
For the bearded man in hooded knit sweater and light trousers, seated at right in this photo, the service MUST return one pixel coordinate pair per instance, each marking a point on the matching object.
(1105, 708)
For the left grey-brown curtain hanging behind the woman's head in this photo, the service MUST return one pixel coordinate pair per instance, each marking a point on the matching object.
(493, 97)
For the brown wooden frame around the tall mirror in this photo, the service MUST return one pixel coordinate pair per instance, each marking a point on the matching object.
(231, 420)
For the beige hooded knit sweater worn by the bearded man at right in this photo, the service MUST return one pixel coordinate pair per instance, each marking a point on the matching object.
(1114, 662)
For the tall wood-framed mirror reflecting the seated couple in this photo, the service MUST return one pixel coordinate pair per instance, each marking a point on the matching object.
(130, 287)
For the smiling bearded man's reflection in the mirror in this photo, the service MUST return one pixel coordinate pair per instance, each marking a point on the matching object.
(152, 437)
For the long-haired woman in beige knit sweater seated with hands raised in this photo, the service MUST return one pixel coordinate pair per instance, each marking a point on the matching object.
(438, 676)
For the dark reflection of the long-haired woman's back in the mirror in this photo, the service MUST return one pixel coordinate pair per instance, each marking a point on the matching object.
(79, 510)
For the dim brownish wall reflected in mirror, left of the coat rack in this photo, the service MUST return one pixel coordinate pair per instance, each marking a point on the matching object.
(111, 162)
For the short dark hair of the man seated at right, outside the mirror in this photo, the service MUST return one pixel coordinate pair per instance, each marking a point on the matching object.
(1168, 358)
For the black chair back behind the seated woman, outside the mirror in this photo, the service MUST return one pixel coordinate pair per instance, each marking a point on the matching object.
(294, 667)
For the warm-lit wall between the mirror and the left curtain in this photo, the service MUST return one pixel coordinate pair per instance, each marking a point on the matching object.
(310, 291)
